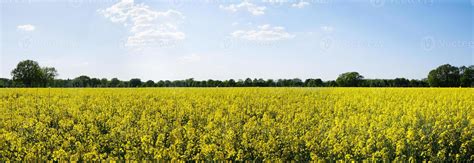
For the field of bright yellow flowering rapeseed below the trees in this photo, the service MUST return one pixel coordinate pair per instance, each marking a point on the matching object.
(267, 124)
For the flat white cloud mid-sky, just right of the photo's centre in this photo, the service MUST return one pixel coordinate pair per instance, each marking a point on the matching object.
(263, 33)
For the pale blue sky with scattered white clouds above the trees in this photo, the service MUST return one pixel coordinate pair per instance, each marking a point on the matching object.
(223, 39)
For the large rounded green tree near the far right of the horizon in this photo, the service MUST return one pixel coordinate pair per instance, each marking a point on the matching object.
(444, 76)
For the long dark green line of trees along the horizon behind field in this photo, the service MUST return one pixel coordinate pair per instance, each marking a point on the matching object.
(28, 73)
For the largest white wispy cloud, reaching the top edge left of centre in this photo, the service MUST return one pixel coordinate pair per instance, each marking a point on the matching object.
(146, 26)
